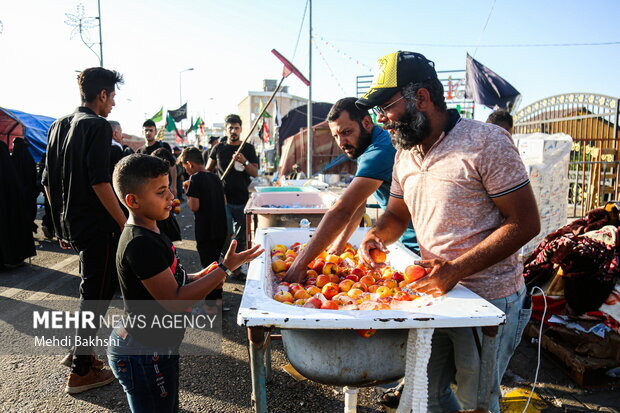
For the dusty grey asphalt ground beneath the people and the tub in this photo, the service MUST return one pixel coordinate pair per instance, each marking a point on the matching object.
(217, 383)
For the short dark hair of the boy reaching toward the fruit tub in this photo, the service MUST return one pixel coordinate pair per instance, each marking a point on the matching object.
(133, 171)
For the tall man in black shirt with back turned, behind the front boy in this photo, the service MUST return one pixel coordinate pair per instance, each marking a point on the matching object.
(85, 211)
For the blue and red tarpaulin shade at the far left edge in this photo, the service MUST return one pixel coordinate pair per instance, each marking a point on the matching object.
(33, 128)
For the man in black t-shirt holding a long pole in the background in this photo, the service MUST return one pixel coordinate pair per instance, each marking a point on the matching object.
(238, 179)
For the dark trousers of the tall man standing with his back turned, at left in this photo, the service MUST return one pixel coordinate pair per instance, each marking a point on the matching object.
(99, 282)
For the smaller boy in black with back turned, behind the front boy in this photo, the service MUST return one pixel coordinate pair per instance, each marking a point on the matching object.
(205, 197)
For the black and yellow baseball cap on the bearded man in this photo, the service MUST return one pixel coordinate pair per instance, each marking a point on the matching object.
(395, 71)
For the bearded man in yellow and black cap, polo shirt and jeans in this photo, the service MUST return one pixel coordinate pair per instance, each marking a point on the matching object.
(466, 190)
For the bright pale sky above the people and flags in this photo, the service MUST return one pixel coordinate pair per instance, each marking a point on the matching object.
(228, 43)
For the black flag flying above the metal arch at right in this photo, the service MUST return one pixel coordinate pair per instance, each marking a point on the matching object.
(487, 88)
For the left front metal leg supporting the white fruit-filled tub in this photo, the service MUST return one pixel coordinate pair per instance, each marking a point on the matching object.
(256, 337)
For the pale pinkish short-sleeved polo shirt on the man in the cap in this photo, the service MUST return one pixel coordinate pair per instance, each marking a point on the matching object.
(449, 193)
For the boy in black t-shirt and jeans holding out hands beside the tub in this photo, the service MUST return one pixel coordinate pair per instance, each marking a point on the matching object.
(149, 270)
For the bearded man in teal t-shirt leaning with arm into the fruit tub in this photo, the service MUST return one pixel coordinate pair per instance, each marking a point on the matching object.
(371, 147)
